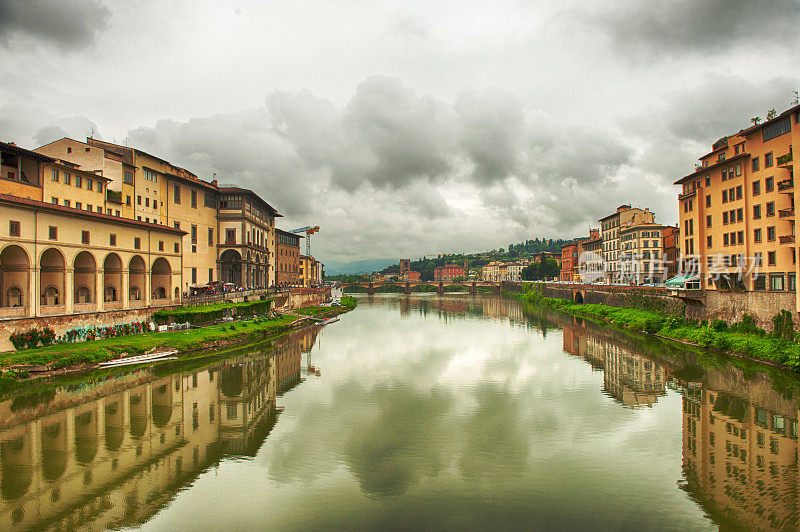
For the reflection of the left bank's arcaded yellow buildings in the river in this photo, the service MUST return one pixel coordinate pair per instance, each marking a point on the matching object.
(111, 453)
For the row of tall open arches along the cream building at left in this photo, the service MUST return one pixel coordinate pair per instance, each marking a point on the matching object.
(15, 271)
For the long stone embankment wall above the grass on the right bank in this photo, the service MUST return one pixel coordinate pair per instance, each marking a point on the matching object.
(729, 307)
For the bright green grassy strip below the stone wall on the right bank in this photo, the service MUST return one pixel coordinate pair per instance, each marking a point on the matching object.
(742, 338)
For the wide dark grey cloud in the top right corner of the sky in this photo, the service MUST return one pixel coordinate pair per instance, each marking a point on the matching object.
(708, 26)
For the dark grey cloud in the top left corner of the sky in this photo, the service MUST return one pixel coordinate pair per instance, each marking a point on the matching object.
(68, 25)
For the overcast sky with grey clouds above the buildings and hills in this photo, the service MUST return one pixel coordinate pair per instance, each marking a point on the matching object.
(406, 128)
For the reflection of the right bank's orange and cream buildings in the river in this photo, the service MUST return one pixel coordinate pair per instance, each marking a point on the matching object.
(740, 458)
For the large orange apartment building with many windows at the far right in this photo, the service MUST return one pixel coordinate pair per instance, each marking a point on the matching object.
(737, 212)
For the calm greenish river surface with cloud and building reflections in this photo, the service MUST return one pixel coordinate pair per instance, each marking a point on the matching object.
(412, 412)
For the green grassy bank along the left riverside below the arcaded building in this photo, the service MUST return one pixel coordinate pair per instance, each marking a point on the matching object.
(65, 355)
